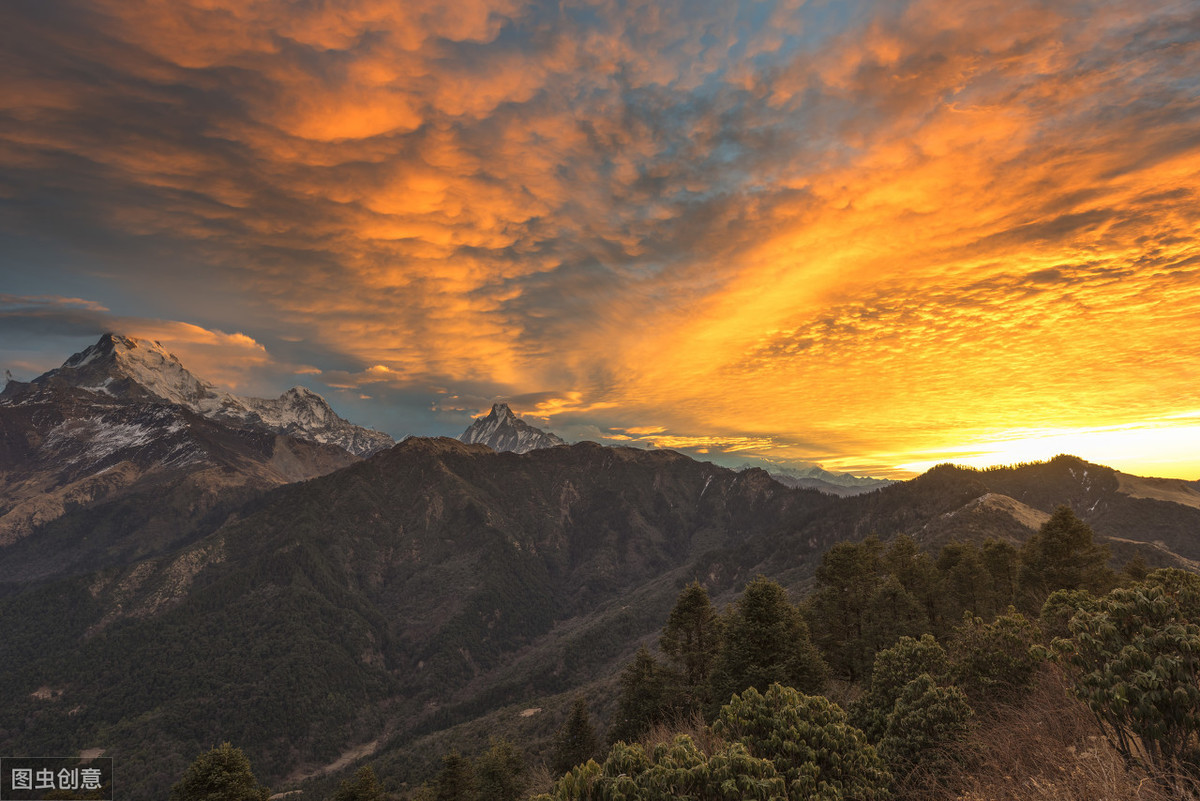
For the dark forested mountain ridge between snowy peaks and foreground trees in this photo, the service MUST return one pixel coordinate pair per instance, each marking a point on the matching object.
(439, 583)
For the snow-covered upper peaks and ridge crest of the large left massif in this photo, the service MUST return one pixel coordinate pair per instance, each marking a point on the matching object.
(142, 370)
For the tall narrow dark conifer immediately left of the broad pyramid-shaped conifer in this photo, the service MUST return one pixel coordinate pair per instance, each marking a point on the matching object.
(692, 642)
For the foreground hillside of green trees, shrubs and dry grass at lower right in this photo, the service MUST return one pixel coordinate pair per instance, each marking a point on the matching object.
(988, 672)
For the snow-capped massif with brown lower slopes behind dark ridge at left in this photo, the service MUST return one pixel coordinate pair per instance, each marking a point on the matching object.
(122, 453)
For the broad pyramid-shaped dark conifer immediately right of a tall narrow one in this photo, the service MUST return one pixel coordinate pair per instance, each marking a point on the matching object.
(767, 642)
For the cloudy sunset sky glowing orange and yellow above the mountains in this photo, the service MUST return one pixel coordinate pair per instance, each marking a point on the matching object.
(874, 237)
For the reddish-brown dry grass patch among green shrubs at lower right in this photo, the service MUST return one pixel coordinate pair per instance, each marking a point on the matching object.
(1047, 749)
